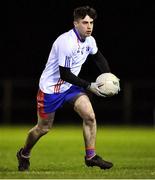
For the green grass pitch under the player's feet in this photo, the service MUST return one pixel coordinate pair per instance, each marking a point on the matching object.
(60, 154)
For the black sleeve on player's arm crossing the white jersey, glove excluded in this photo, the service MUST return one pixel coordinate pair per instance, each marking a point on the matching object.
(68, 76)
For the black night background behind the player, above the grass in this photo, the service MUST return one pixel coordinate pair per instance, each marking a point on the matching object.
(124, 31)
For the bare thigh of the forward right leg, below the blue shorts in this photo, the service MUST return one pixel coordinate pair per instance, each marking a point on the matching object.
(84, 108)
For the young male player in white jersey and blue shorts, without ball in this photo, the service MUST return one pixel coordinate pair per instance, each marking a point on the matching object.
(59, 83)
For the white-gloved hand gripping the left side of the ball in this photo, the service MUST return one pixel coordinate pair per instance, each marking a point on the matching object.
(94, 89)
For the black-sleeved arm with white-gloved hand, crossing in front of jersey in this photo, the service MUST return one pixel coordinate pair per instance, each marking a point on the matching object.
(67, 75)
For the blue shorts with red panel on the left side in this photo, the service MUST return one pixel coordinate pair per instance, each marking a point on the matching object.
(47, 103)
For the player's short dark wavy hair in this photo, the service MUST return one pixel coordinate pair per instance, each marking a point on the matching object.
(81, 12)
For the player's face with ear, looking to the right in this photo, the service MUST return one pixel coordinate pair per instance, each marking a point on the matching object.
(84, 26)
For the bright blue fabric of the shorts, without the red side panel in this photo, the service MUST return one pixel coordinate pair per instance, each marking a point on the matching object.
(54, 101)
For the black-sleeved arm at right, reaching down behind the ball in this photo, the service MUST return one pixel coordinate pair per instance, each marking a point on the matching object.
(101, 62)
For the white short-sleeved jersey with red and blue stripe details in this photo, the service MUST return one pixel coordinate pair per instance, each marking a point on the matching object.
(67, 51)
